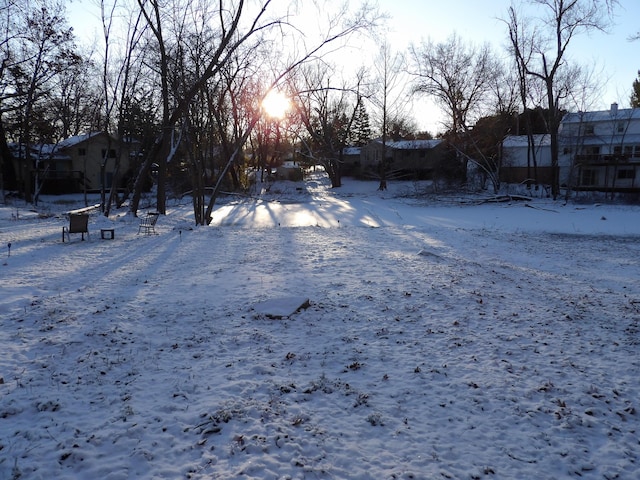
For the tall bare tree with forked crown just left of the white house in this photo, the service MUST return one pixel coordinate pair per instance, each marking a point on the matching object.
(559, 22)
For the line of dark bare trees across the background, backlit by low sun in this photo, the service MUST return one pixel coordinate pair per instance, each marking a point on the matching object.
(187, 77)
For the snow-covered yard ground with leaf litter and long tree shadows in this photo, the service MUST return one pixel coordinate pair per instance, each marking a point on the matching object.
(442, 340)
